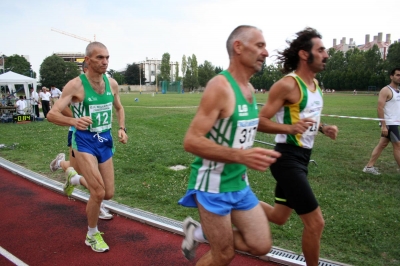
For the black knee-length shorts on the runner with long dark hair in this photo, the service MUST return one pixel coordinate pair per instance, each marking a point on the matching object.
(290, 172)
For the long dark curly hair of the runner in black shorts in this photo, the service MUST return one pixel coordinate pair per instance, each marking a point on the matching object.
(289, 57)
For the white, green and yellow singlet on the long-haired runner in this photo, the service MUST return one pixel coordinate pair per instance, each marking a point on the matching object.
(309, 105)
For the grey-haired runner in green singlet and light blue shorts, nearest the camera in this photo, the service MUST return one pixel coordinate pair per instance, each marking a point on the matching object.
(221, 135)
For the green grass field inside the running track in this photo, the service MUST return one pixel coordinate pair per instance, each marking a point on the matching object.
(361, 210)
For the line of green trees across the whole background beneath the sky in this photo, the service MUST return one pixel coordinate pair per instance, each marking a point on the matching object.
(354, 69)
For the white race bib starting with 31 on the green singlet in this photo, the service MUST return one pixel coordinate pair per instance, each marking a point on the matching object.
(245, 134)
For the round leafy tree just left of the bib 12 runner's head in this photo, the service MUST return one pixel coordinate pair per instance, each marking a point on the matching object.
(55, 71)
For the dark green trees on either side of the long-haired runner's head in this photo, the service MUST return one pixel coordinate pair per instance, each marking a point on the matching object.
(354, 69)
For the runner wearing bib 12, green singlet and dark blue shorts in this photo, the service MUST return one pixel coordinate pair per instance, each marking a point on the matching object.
(92, 96)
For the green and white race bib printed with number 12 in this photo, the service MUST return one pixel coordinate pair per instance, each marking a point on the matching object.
(101, 115)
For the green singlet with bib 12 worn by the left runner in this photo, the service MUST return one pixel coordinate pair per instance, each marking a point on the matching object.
(97, 106)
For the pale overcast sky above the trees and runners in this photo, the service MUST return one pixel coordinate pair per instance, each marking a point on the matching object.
(133, 30)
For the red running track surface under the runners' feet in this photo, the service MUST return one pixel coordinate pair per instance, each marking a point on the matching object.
(41, 227)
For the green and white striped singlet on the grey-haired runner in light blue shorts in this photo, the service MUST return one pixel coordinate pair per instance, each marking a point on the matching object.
(237, 131)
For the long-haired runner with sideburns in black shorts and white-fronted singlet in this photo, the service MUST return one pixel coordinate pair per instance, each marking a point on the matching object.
(296, 102)
